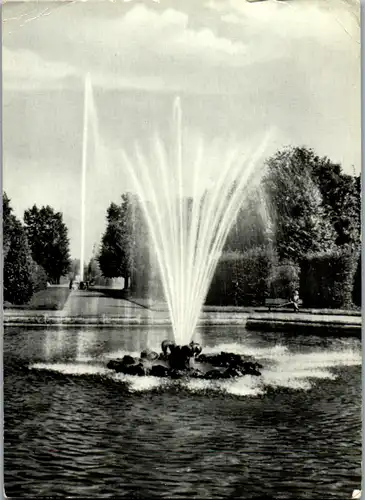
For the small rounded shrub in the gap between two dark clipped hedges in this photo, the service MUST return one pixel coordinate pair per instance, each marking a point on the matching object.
(284, 280)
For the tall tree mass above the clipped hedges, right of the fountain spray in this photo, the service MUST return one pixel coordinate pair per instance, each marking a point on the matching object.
(305, 203)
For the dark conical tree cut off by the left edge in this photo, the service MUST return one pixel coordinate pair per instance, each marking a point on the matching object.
(18, 264)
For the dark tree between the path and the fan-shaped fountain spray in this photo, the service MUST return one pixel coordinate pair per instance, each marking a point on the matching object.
(117, 246)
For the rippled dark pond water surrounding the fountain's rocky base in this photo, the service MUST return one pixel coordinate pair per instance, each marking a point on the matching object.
(73, 427)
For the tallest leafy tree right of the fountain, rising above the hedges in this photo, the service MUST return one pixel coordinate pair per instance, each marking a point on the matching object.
(301, 221)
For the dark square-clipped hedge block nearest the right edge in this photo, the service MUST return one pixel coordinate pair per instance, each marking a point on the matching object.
(326, 279)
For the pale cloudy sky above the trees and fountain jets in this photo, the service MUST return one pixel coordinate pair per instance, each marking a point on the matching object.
(240, 69)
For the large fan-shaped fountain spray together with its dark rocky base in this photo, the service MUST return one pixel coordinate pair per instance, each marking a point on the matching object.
(188, 235)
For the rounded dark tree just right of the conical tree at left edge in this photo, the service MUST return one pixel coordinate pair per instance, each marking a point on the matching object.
(47, 236)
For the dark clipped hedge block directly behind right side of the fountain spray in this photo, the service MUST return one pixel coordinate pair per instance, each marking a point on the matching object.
(241, 279)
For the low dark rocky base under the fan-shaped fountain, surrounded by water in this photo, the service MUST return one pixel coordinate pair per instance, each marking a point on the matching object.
(186, 362)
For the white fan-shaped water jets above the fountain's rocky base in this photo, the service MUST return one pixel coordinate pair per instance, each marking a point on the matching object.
(188, 234)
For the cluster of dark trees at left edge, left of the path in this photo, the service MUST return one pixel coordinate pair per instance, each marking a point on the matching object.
(35, 252)
